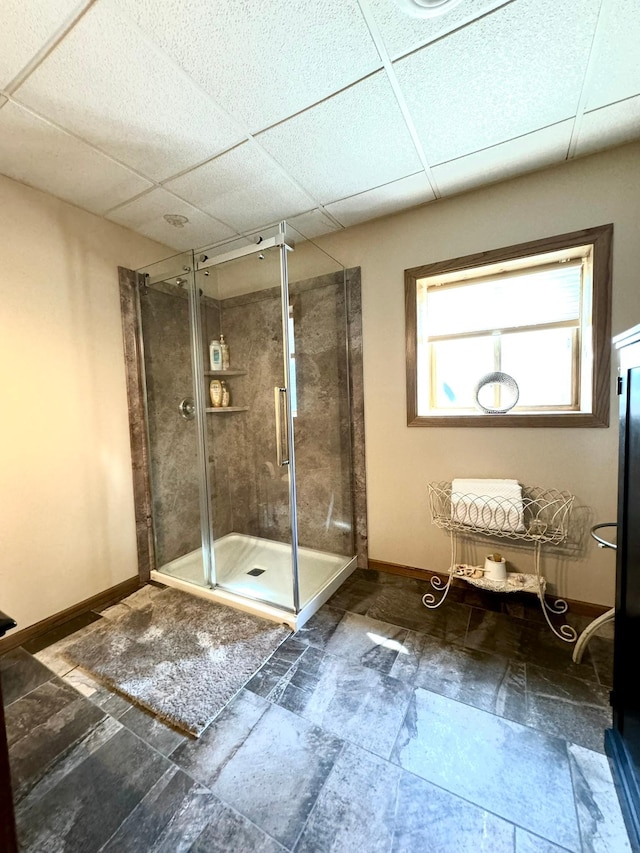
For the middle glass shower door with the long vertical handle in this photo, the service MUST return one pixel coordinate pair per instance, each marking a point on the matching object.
(250, 481)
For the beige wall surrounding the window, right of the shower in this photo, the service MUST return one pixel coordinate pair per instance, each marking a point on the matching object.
(401, 461)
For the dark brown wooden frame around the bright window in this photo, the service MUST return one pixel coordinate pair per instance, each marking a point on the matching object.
(601, 238)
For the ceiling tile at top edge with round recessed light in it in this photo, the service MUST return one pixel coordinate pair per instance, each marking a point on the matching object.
(402, 33)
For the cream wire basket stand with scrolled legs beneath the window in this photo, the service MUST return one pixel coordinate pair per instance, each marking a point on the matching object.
(542, 517)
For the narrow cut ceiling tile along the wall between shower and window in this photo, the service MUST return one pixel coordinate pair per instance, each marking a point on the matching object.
(381, 201)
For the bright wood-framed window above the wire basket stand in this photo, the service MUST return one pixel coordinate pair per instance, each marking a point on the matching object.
(539, 312)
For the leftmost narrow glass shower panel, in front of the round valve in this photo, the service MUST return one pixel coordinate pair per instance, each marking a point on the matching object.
(166, 310)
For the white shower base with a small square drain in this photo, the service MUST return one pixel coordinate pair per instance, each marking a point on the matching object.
(268, 594)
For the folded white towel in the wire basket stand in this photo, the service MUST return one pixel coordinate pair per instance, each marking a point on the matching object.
(490, 504)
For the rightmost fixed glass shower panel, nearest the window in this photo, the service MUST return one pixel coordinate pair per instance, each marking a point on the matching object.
(320, 403)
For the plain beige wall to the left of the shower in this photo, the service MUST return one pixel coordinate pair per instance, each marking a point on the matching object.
(66, 501)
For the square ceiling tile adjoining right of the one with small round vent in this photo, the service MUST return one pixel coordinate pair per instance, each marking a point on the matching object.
(243, 187)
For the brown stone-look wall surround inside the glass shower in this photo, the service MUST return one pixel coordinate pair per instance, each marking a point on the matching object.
(250, 493)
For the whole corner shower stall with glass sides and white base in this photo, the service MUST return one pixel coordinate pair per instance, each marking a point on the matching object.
(257, 503)
